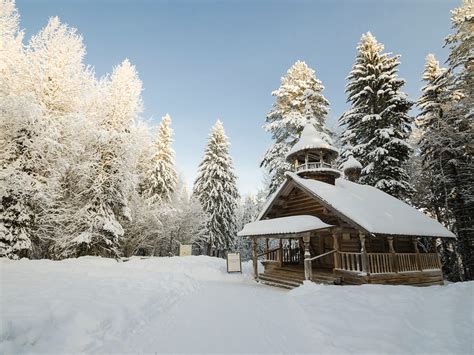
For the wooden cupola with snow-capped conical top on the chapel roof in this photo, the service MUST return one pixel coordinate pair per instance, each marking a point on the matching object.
(314, 157)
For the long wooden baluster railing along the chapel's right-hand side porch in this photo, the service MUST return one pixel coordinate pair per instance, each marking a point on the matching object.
(382, 263)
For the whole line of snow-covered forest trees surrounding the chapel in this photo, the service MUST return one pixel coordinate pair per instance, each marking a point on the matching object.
(83, 174)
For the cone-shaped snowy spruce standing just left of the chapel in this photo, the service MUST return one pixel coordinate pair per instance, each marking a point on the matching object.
(215, 188)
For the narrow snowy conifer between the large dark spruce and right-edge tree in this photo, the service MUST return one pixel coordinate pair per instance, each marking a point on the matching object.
(430, 177)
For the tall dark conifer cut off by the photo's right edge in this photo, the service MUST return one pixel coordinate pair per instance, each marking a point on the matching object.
(457, 138)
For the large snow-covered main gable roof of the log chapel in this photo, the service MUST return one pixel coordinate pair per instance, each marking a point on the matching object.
(370, 208)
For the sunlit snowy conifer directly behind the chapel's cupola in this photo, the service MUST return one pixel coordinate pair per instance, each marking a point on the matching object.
(298, 99)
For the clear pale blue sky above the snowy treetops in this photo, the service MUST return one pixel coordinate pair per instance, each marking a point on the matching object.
(206, 60)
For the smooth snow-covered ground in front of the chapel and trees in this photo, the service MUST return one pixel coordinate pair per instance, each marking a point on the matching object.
(191, 304)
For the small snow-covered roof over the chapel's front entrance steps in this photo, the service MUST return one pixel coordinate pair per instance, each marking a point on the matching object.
(283, 225)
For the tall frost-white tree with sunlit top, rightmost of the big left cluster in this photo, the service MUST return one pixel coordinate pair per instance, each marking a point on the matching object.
(101, 202)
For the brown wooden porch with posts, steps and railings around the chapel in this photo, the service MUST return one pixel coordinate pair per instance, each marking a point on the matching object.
(312, 257)
